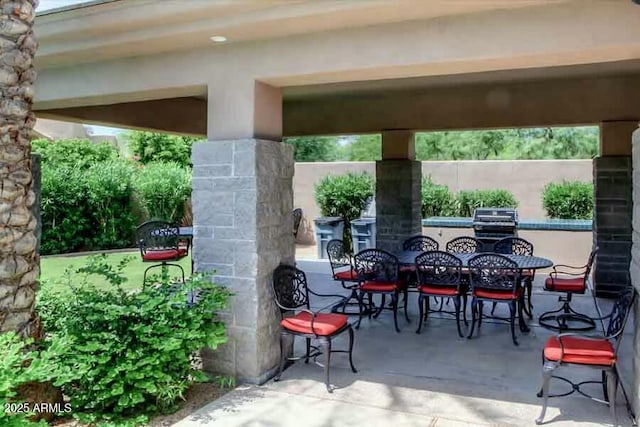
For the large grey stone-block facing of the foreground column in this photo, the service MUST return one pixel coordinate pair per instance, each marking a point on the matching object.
(242, 202)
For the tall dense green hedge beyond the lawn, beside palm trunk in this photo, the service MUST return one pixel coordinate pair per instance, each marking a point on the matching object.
(92, 198)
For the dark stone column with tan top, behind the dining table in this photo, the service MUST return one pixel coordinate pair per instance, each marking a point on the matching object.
(398, 185)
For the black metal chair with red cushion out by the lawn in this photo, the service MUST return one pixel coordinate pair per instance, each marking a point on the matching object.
(160, 242)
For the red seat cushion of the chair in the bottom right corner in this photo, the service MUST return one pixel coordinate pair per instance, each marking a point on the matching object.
(580, 350)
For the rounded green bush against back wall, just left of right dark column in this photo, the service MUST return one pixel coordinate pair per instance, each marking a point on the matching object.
(568, 200)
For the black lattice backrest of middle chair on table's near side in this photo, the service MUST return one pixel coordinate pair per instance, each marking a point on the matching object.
(437, 268)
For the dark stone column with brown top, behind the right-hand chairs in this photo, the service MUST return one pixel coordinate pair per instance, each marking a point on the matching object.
(613, 207)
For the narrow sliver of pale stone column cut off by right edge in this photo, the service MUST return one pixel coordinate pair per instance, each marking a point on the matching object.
(635, 275)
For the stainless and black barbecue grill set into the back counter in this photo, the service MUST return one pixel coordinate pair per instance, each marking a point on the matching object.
(493, 224)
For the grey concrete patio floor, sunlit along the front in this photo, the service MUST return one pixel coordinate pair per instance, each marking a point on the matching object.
(431, 379)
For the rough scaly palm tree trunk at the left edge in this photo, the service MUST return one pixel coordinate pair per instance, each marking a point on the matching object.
(19, 258)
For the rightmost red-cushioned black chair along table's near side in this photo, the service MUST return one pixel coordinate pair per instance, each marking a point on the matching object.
(494, 278)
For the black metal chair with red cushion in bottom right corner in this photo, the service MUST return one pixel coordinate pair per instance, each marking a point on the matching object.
(593, 351)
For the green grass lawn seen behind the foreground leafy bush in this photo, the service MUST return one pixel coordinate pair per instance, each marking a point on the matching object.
(53, 268)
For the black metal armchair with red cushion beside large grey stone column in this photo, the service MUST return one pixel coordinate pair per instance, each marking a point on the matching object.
(292, 296)
